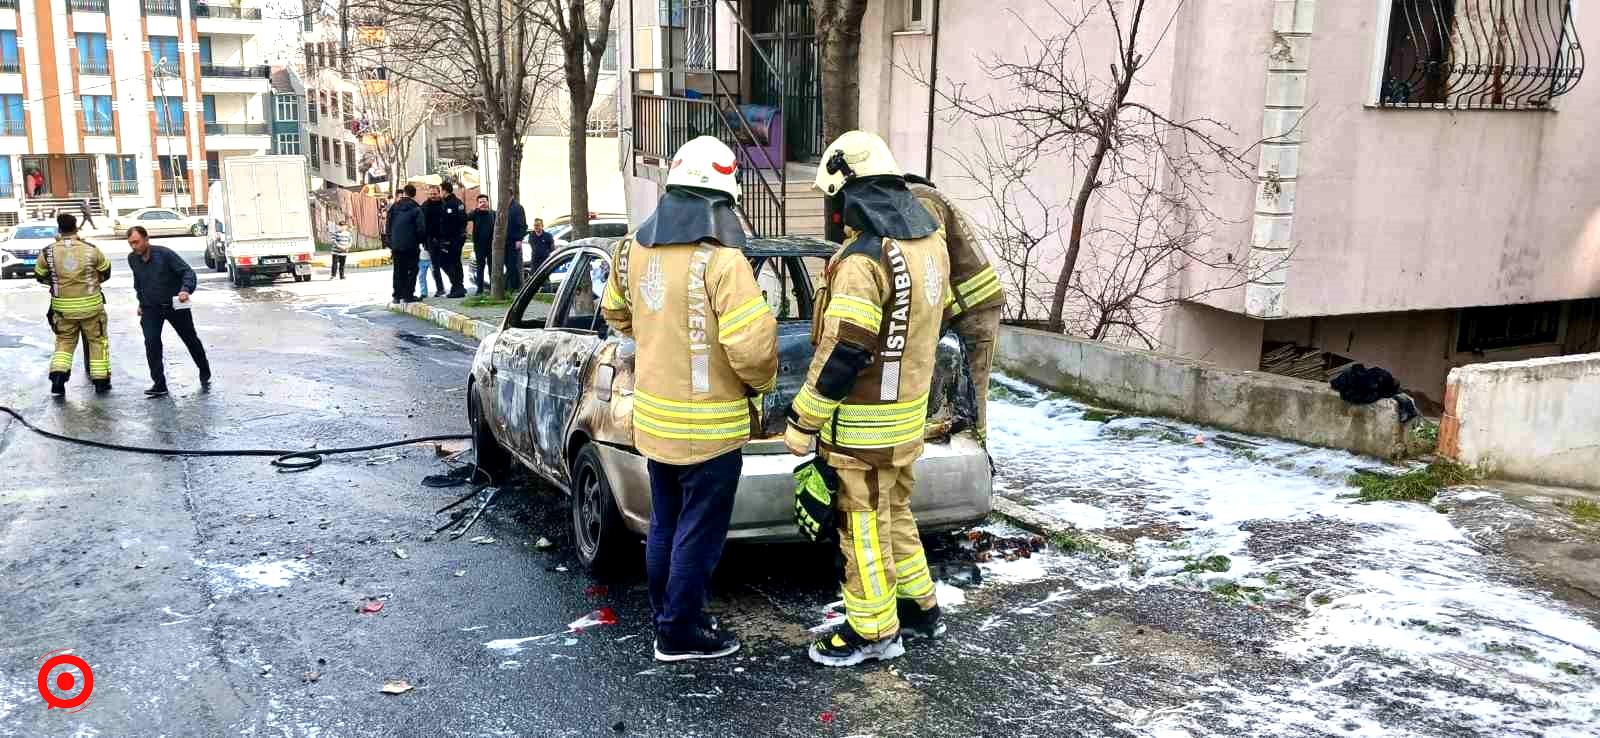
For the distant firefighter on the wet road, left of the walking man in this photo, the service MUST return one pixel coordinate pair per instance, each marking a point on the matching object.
(76, 270)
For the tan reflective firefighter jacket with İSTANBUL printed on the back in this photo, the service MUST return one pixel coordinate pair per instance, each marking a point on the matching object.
(876, 332)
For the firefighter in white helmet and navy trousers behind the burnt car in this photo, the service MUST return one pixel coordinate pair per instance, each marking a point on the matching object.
(708, 350)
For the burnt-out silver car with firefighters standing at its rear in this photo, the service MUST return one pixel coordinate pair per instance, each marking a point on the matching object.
(553, 391)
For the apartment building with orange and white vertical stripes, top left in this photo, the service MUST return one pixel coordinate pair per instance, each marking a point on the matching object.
(127, 103)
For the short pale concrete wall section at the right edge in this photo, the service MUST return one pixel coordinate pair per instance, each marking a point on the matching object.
(1537, 420)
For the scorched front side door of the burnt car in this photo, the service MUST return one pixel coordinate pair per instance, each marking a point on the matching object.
(513, 361)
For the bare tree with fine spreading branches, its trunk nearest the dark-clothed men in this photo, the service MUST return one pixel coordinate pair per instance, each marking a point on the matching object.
(489, 55)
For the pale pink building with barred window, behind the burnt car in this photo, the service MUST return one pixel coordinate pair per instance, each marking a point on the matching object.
(1425, 196)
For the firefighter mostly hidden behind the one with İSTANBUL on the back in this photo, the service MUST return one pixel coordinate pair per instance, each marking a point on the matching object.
(977, 295)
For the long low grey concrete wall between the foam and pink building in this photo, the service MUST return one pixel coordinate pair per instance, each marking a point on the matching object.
(1202, 393)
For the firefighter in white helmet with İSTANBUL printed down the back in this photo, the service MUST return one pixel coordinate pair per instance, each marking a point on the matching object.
(866, 395)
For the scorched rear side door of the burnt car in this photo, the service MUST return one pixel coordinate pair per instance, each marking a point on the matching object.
(562, 361)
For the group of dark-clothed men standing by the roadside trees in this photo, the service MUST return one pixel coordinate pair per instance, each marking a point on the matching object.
(430, 238)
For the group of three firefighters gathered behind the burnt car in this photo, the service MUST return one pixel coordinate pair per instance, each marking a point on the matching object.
(686, 294)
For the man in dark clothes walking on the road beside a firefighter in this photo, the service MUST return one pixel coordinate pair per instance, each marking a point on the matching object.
(164, 283)
